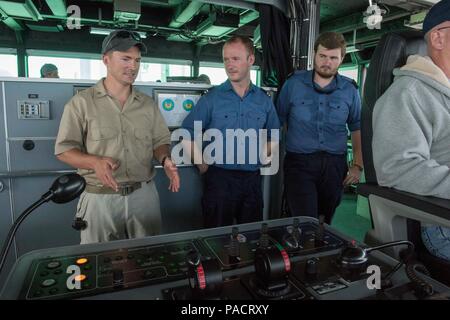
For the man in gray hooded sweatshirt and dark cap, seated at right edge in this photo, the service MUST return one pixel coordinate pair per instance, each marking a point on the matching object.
(411, 125)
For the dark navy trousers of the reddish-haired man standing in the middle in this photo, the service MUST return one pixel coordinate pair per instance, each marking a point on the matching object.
(231, 194)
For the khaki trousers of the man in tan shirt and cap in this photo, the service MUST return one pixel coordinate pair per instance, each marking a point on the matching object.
(114, 217)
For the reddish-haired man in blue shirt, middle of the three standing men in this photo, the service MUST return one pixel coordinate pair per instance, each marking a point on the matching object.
(235, 109)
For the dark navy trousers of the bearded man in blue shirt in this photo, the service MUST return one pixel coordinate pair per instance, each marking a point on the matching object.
(314, 183)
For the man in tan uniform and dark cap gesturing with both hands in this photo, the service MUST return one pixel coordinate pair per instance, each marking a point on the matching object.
(111, 132)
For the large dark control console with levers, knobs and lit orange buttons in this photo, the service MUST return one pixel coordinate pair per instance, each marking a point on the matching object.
(293, 258)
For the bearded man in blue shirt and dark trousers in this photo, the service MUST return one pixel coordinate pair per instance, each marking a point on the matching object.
(317, 107)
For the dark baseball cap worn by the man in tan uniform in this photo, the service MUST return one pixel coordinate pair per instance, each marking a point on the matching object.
(122, 40)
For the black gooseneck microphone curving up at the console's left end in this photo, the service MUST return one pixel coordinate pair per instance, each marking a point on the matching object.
(64, 189)
